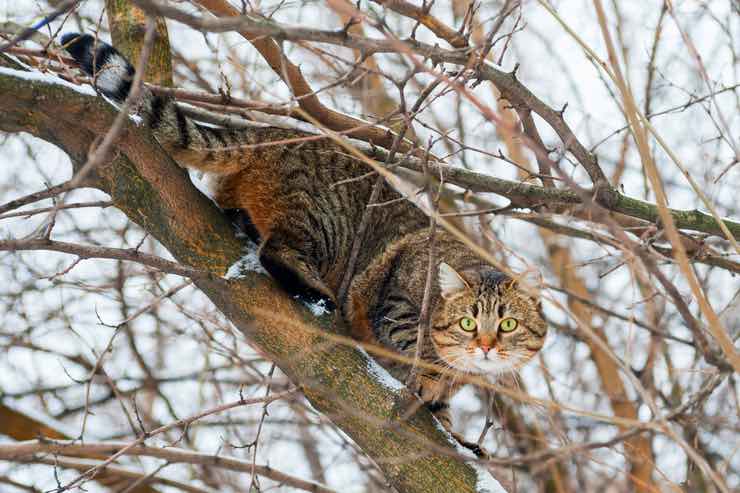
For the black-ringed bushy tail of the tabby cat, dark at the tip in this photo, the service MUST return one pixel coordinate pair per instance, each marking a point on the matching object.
(192, 145)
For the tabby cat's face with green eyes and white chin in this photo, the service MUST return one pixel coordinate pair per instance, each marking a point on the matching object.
(484, 323)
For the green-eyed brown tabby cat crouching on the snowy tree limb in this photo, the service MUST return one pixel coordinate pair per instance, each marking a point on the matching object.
(305, 222)
